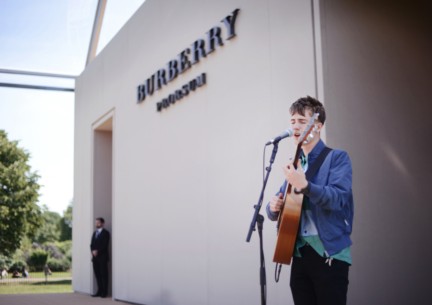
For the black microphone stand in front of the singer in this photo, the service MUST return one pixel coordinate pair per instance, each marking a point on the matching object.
(258, 220)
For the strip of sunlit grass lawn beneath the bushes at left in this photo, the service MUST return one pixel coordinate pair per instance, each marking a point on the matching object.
(58, 282)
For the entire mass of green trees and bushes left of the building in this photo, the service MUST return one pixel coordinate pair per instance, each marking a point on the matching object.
(28, 233)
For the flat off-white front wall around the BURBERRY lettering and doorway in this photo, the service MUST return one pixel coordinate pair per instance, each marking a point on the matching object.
(186, 179)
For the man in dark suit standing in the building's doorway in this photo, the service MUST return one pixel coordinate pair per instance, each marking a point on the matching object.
(99, 250)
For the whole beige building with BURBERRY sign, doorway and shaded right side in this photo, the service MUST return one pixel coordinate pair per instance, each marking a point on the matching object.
(171, 119)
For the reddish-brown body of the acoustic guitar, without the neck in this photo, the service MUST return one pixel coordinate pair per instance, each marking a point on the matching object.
(288, 228)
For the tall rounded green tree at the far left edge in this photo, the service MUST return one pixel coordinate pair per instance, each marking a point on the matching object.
(19, 212)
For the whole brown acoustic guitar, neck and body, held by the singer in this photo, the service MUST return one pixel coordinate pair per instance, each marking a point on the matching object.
(289, 216)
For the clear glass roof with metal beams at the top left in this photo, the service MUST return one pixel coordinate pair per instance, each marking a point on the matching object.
(45, 44)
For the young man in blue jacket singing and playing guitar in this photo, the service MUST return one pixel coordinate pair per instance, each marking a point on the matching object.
(322, 256)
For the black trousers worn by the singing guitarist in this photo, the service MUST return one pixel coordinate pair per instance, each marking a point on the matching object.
(314, 282)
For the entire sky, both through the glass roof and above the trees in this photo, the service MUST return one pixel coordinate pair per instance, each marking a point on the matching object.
(53, 37)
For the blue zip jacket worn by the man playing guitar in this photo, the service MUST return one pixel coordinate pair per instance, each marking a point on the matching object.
(331, 199)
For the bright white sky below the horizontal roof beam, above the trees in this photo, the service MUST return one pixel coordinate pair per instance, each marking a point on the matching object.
(42, 122)
